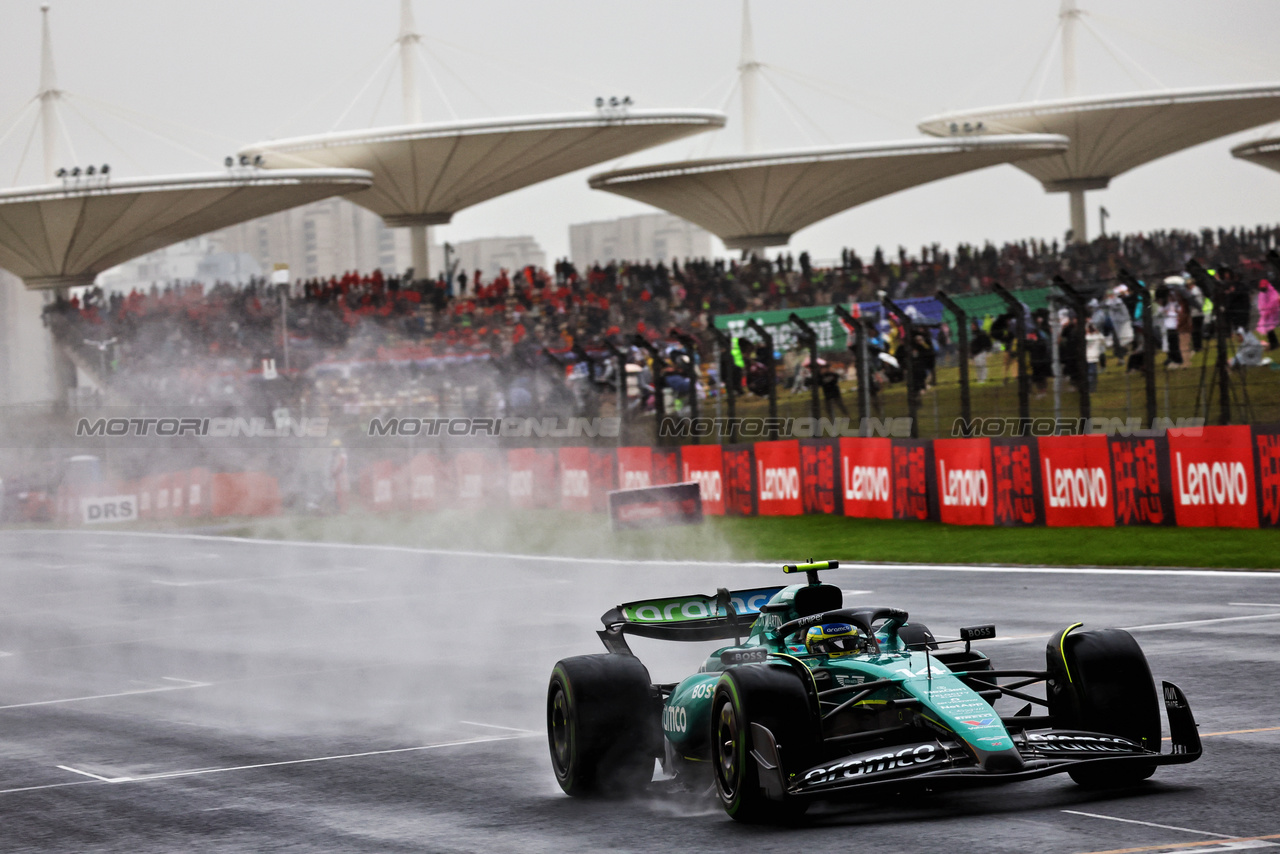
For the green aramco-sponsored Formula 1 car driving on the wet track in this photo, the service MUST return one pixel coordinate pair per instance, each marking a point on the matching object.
(778, 727)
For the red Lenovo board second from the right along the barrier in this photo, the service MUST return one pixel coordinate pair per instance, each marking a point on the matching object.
(1076, 481)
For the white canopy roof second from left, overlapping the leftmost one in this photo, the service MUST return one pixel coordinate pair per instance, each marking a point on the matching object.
(426, 173)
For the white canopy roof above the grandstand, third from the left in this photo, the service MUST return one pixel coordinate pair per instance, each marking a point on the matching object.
(761, 200)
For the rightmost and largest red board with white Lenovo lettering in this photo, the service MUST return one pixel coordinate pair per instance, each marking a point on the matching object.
(1213, 476)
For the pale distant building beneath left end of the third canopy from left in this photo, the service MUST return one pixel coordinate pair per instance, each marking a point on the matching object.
(647, 238)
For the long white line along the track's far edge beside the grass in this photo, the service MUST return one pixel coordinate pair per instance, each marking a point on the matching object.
(597, 561)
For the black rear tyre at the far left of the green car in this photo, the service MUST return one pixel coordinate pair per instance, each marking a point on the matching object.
(604, 725)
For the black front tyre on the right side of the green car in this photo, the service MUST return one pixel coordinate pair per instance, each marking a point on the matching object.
(1100, 682)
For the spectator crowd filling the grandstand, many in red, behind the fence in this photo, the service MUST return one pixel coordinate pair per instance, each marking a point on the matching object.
(532, 337)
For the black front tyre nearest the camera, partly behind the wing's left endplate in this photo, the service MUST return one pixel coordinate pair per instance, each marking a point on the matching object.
(774, 697)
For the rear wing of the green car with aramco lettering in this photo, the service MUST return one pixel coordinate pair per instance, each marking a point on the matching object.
(724, 616)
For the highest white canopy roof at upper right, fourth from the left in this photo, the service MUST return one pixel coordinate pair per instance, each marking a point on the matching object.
(1114, 134)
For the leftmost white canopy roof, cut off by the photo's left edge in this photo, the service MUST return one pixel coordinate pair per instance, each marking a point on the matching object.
(65, 235)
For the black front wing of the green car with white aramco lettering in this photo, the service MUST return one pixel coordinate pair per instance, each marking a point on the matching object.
(948, 765)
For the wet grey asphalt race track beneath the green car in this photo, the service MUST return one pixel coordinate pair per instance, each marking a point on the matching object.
(162, 695)
